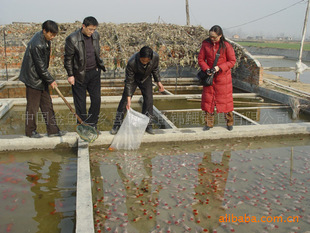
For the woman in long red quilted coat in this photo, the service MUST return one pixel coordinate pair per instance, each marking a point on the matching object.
(220, 93)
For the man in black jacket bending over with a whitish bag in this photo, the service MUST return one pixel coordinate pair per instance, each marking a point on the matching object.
(140, 67)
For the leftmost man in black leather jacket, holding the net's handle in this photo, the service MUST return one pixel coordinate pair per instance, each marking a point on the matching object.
(34, 73)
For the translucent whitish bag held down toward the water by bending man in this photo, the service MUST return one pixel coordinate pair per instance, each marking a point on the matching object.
(130, 133)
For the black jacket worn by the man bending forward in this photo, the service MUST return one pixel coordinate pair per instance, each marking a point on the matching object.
(135, 72)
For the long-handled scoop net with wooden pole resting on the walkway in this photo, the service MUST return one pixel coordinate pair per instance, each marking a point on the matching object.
(85, 131)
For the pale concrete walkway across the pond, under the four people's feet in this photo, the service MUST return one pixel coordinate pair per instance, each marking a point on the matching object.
(20, 142)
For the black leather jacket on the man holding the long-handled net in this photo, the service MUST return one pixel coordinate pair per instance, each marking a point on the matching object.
(34, 70)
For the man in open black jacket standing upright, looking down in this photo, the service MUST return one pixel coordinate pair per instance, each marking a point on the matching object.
(83, 64)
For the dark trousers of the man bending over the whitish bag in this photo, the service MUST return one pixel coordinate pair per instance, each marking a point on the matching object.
(147, 107)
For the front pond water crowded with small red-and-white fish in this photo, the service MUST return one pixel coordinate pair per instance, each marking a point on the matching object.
(207, 186)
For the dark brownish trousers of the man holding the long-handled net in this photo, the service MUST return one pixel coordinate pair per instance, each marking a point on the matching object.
(39, 99)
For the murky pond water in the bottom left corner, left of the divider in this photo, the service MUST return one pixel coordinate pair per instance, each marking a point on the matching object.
(38, 191)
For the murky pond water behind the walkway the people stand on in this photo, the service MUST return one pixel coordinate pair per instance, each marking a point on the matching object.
(13, 122)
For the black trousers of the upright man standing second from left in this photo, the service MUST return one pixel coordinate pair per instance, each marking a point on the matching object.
(92, 85)
